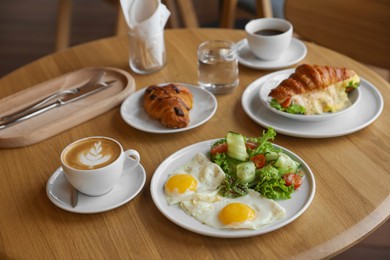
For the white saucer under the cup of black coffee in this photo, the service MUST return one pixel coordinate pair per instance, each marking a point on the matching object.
(294, 54)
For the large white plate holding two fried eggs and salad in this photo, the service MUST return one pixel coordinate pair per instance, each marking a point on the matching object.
(295, 206)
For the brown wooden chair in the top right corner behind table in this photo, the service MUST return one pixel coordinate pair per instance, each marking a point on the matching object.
(357, 28)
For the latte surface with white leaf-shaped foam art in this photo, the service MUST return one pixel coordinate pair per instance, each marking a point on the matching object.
(91, 153)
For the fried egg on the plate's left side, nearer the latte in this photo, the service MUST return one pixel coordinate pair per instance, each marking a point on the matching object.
(196, 176)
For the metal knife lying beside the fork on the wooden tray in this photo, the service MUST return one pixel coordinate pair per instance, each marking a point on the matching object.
(83, 92)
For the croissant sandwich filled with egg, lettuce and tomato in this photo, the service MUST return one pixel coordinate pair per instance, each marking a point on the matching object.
(314, 89)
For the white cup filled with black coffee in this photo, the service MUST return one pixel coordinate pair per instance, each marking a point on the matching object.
(268, 38)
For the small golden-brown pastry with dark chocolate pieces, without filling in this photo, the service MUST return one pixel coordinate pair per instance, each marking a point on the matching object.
(170, 104)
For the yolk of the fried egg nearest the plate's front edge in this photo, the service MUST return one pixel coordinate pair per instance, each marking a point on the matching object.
(236, 213)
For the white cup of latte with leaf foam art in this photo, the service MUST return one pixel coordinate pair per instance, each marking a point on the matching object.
(94, 165)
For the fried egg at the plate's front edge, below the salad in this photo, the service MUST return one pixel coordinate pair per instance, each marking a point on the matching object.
(251, 211)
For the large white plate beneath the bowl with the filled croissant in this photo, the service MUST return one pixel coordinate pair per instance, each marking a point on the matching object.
(366, 110)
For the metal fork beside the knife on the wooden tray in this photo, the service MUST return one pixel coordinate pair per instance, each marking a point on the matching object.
(95, 79)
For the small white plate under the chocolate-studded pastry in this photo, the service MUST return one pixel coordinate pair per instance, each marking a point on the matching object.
(133, 112)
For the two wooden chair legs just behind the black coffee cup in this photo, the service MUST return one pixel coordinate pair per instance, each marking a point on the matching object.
(229, 8)
